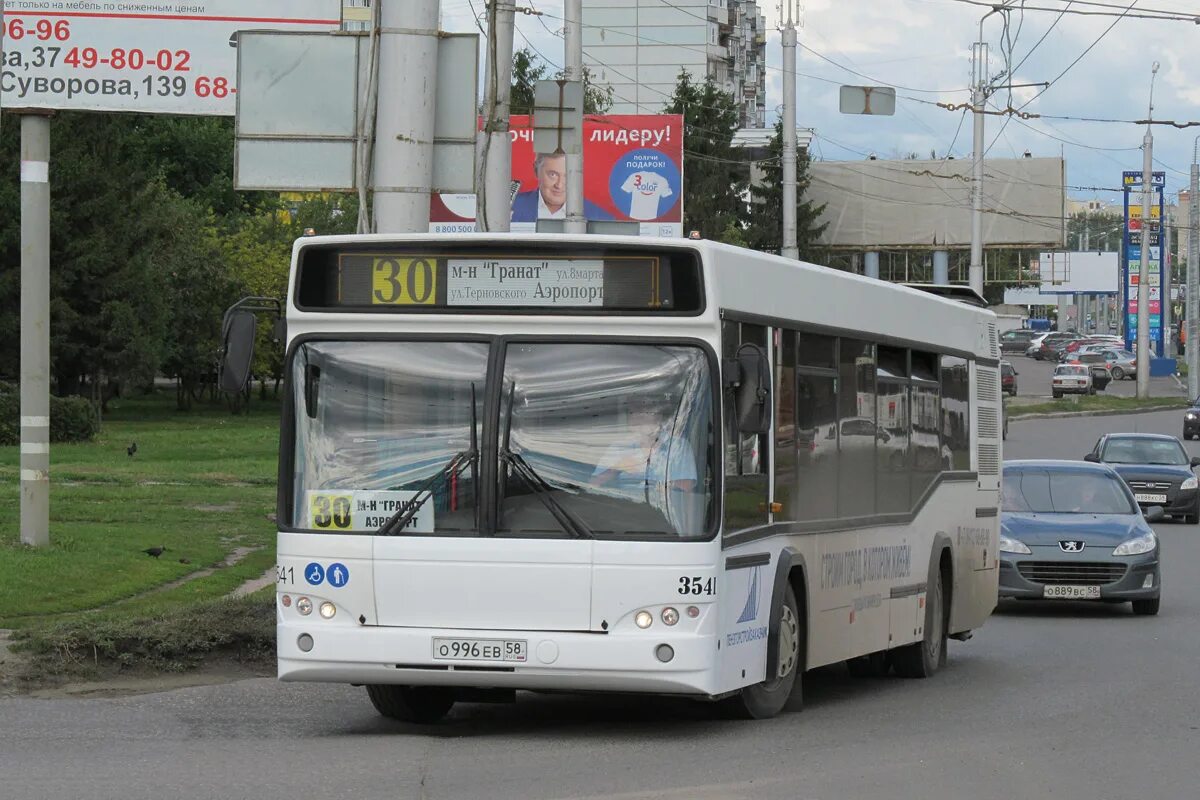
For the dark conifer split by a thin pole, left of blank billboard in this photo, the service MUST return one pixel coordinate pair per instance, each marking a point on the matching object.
(766, 230)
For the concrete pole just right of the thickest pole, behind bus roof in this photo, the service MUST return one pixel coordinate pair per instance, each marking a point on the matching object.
(495, 193)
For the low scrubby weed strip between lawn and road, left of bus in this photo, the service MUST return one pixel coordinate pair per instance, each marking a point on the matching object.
(179, 640)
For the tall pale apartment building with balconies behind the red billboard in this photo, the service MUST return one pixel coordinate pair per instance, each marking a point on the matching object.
(639, 47)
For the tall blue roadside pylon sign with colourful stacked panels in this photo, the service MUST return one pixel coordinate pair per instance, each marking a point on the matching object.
(1139, 232)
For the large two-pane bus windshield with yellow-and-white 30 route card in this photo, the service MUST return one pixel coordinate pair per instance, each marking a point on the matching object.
(590, 440)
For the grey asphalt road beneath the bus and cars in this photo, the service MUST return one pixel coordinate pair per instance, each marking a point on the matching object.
(1049, 701)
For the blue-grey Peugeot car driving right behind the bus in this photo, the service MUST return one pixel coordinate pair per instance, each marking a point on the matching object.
(1072, 531)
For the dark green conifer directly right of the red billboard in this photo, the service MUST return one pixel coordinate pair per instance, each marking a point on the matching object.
(715, 179)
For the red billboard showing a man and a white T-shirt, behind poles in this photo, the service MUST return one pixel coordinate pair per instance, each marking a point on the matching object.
(633, 172)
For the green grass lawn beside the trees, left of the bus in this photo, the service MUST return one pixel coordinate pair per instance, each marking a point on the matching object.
(200, 484)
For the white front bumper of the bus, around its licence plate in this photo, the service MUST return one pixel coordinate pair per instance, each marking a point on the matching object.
(566, 661)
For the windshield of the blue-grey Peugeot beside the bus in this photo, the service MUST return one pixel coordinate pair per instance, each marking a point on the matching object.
(1045, 491)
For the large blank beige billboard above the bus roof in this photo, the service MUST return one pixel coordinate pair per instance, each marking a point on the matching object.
(896, 204)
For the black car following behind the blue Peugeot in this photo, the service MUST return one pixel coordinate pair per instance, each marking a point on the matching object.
(1157, 470)
